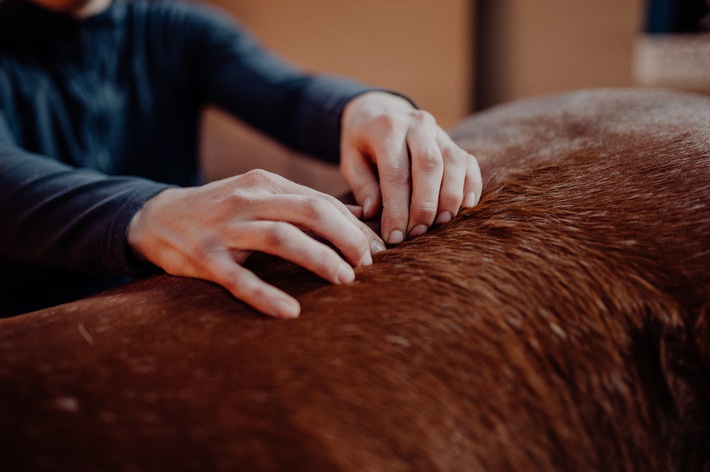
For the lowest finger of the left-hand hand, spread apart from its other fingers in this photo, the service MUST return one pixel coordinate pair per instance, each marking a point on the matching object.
(249, 288)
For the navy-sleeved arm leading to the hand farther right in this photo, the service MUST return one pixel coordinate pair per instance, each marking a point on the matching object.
(235, 73)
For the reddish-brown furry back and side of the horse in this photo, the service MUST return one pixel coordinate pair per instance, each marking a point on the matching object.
(561, 325)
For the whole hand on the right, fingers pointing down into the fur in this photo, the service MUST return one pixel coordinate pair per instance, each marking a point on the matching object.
(396, 158)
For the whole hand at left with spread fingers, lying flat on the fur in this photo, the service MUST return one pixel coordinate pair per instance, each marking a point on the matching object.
(208, 232)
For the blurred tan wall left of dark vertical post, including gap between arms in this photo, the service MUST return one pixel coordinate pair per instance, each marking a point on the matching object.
(423, 48)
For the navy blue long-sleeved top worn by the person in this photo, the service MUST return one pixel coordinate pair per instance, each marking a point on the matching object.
(99, 115)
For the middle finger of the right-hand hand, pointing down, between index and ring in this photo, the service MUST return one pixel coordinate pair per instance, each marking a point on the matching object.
(427, 171)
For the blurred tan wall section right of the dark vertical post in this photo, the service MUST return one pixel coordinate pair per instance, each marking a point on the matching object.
(536, 47)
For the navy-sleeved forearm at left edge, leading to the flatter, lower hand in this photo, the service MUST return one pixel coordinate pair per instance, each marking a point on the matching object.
(59, 216)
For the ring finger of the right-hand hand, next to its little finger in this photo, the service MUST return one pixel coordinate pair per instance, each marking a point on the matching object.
(452, 186)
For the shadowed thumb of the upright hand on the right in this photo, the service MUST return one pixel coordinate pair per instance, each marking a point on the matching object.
(363, 182)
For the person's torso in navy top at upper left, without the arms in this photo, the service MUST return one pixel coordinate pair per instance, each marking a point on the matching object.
(105, 93)
